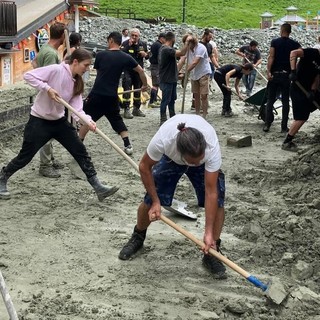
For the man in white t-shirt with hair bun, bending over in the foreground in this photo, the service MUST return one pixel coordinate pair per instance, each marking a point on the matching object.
(184, 144)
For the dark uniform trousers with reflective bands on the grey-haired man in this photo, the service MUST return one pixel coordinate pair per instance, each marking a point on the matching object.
(131, 78)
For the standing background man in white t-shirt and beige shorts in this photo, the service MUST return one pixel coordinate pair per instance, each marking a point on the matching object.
(200, 70)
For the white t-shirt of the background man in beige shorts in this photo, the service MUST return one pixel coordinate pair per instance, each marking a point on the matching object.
(203, 67)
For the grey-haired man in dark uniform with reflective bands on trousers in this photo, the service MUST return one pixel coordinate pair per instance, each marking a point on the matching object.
(137, 49)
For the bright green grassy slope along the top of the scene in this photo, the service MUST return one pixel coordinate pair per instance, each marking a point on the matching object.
(225, 14)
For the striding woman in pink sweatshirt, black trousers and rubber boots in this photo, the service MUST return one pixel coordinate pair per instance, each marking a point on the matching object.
(48, 121)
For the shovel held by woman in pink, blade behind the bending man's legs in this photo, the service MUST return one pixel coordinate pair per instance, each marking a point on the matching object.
(178, 205)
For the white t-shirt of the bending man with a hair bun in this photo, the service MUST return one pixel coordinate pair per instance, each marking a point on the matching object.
(164, 141)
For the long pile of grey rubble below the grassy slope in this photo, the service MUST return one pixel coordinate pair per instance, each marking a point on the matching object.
(96, 30)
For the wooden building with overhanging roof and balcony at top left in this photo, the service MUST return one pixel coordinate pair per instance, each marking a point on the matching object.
(26, 27)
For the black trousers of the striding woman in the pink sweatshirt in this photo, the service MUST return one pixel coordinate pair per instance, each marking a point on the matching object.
(38, 132)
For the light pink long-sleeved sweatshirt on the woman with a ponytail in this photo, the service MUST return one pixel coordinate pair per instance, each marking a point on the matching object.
(59, 78)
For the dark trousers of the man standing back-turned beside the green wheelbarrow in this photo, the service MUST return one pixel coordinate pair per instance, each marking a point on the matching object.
(279, 83)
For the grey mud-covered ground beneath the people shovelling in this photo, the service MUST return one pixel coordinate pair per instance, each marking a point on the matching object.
(59, 245)
